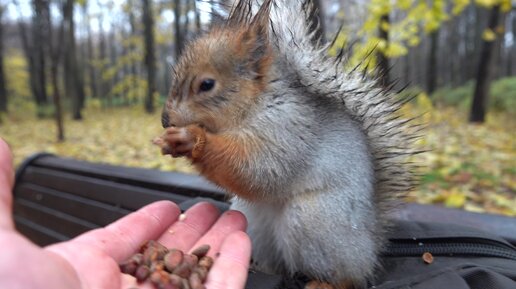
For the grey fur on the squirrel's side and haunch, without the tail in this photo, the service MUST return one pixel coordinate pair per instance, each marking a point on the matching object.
(317, 214)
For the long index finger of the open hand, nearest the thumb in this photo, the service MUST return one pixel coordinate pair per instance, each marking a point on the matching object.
(124, 237)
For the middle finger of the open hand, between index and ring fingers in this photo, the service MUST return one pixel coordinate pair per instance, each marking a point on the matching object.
(194, 223)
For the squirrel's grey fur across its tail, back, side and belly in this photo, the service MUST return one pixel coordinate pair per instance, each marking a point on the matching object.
(332, 155)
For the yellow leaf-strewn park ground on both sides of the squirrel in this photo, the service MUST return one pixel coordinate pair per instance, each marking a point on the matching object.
(468, 166)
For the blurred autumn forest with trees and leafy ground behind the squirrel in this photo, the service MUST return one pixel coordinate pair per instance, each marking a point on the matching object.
(87, 79)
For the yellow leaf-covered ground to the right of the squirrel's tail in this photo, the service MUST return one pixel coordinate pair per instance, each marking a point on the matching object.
(468, 166)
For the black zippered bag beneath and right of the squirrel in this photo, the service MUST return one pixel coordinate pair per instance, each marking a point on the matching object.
(456, 257)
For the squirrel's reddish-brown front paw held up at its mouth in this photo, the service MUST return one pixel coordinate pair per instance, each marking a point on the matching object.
(182, 141)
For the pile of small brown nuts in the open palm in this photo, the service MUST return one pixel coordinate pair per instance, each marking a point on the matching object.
(169, 268)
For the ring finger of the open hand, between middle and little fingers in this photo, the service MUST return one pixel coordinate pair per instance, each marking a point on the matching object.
(229, 222)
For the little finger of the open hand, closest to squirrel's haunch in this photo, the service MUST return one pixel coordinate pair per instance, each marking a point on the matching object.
(230, 268)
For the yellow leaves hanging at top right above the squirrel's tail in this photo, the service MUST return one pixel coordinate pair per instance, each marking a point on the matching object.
(418, 17)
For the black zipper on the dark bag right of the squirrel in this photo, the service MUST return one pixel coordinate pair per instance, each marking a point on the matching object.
(466, 247)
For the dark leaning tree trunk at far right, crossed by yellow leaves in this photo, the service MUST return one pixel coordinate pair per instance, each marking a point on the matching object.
(479, 105)
